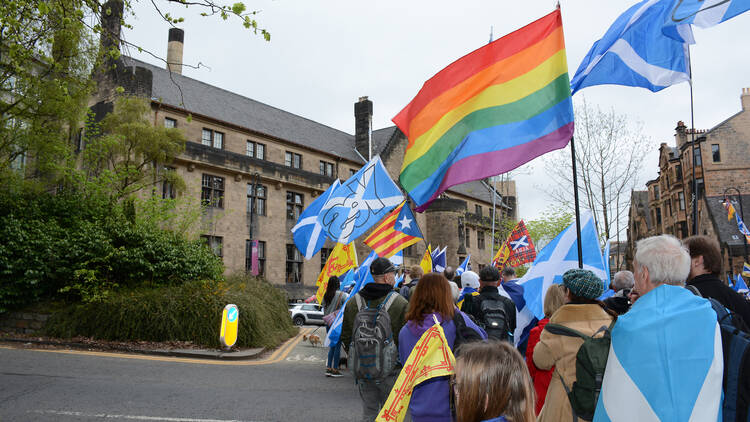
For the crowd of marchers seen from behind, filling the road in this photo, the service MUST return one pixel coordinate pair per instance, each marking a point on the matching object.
(653, 349)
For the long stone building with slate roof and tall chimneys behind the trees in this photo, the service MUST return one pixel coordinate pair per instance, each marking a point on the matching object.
(256, 167)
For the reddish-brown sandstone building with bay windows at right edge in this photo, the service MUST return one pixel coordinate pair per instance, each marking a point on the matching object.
(722, 170)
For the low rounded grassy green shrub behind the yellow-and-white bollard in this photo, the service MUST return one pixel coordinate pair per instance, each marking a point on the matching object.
(187, 312)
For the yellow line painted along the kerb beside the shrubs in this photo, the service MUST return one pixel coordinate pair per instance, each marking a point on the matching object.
(277, 356)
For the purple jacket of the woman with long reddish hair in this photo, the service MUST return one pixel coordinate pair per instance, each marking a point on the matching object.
(430, 401)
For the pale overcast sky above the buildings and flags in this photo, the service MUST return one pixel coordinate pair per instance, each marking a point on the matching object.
(325, 54)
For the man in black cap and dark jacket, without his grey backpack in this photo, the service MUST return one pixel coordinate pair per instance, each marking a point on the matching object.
(375, 393)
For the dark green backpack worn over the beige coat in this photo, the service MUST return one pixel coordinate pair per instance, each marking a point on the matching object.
(591, 360)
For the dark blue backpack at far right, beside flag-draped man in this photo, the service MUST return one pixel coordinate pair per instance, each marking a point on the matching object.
(736, 347)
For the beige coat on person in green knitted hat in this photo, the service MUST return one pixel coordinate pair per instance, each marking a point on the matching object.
(560, 352)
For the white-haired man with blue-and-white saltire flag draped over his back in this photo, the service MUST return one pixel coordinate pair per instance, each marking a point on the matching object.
(665, 362)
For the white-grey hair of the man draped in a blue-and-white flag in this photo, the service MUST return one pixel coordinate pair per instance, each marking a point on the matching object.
(667, 260)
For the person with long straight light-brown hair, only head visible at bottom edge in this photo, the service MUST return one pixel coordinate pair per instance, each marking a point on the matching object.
(492, 384)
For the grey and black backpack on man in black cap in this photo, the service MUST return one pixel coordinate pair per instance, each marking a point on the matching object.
(374, 353)
